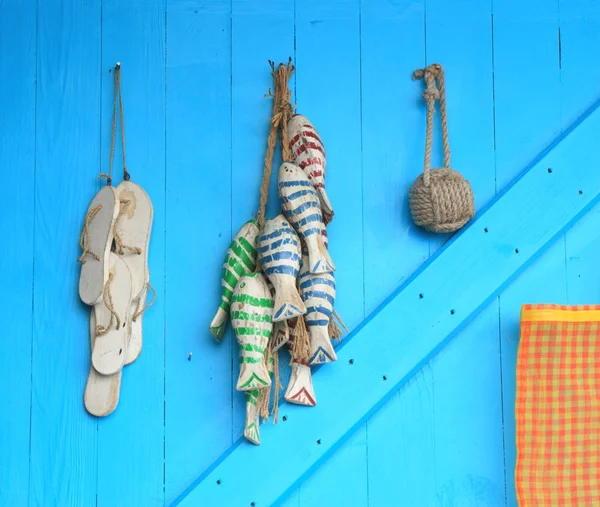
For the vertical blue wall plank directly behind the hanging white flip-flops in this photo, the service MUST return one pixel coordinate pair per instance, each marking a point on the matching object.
(131, 440)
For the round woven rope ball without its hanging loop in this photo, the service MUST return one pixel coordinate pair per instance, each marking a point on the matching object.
(445, 205)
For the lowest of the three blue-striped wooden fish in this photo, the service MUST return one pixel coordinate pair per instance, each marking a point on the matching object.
(318, 293)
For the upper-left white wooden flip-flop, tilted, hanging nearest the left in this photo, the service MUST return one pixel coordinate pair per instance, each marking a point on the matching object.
(96, 241)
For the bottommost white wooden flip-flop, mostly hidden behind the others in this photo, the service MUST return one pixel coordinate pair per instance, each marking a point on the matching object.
(101, 391)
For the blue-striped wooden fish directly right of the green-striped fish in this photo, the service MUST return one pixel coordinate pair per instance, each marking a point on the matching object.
(279, 254)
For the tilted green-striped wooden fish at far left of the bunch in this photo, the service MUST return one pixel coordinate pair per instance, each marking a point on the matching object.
(240, 259)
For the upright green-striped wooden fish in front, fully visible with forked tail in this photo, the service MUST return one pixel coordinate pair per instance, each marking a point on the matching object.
(251, 316)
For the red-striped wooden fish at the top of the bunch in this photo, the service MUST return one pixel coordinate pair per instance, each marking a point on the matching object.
(308, 152)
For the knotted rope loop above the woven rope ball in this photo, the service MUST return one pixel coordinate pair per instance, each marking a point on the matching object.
(435, 90)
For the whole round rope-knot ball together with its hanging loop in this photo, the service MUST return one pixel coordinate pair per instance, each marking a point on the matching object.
(440, 200)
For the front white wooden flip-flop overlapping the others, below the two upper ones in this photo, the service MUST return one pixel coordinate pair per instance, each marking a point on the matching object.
(112, 319)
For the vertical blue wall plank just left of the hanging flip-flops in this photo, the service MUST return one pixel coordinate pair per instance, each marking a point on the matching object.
(63, 437)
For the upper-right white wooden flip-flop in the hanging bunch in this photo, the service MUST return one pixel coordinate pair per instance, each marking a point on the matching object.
(132, 233)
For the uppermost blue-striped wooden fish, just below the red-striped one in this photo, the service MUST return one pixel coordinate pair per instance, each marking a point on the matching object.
(301, 206)
